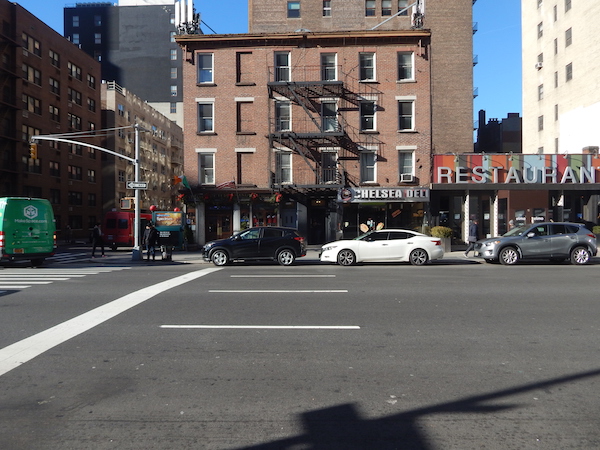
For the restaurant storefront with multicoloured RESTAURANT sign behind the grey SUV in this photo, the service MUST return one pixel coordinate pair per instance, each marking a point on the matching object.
(501, 190)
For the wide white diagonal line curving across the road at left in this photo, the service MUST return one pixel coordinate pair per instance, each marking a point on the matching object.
(20, 352)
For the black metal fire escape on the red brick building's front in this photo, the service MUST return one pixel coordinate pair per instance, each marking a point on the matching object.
(319, 131)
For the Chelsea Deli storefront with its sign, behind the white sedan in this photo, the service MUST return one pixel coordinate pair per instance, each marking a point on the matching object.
(367, 208)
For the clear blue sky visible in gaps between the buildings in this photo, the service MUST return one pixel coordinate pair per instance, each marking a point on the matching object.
(497, 43)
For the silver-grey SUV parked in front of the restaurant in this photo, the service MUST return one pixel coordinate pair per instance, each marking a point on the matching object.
(555, 241)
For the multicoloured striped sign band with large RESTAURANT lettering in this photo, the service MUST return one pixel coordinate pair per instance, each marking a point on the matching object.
(515, 169)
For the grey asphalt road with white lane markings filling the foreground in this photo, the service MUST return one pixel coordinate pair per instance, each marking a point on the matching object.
(448, 356)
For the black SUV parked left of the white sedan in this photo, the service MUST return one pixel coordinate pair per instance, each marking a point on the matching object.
(277, 243)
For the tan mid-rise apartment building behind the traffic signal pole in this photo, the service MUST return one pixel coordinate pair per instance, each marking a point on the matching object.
(160, 145)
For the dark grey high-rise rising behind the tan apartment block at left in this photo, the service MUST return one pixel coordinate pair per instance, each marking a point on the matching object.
(134, 42)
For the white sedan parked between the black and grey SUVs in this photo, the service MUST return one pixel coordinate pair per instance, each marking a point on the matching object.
(384, 246)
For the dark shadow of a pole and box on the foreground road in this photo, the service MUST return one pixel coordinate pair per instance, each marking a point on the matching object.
(341, 427)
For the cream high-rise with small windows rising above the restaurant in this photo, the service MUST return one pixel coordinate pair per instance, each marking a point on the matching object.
(561, 74)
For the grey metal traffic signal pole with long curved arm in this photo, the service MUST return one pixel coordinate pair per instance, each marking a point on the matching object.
(136, 254)
